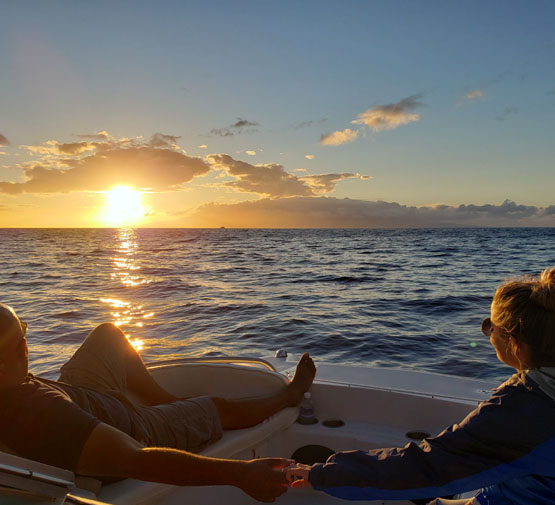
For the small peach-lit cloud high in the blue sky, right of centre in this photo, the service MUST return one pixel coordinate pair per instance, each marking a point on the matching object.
(390, 116)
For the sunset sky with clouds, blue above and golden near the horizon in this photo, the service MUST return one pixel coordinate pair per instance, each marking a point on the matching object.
(277, 113)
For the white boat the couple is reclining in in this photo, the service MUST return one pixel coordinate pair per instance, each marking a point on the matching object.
(357, 407)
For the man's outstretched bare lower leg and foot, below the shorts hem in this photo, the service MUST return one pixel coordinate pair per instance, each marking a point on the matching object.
(236, 414)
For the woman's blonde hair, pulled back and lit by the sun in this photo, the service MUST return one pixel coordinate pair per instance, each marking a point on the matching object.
(525, 309)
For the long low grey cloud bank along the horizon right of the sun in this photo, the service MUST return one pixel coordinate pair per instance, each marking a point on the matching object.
(327, 212)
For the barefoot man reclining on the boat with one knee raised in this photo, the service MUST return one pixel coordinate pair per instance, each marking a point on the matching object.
(86, 424)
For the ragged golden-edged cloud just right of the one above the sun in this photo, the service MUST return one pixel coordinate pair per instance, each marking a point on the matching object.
(272, 180)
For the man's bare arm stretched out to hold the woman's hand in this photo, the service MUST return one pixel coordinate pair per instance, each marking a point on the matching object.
(109, 452)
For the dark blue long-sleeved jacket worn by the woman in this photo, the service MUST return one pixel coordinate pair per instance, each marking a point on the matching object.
(505, 448)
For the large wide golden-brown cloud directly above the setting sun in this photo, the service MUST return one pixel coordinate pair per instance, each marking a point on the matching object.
(141, 167)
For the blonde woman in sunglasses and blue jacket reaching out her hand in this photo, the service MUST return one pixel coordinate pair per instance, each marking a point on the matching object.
(505, 448)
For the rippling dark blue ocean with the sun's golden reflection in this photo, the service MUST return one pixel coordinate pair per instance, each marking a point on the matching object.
(408, 298)
